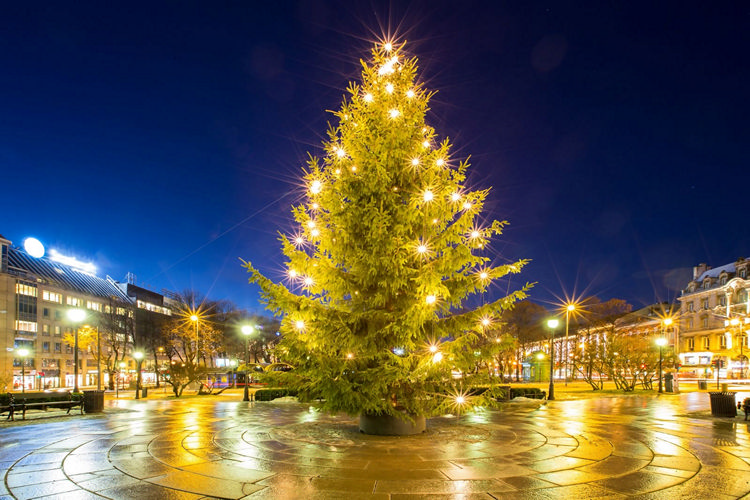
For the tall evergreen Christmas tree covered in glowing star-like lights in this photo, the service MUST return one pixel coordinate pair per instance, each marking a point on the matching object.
(389, 250)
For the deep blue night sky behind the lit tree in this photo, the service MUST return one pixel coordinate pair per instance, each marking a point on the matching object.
(166, 138)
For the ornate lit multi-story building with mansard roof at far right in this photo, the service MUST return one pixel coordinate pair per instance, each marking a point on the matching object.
(715, 319)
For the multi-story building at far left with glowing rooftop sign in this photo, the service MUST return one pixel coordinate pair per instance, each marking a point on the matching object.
(36, 294)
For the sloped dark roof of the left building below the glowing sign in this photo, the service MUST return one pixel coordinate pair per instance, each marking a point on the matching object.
(61, 275)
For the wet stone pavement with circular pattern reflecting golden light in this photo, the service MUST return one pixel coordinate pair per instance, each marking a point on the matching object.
(664, 446)
